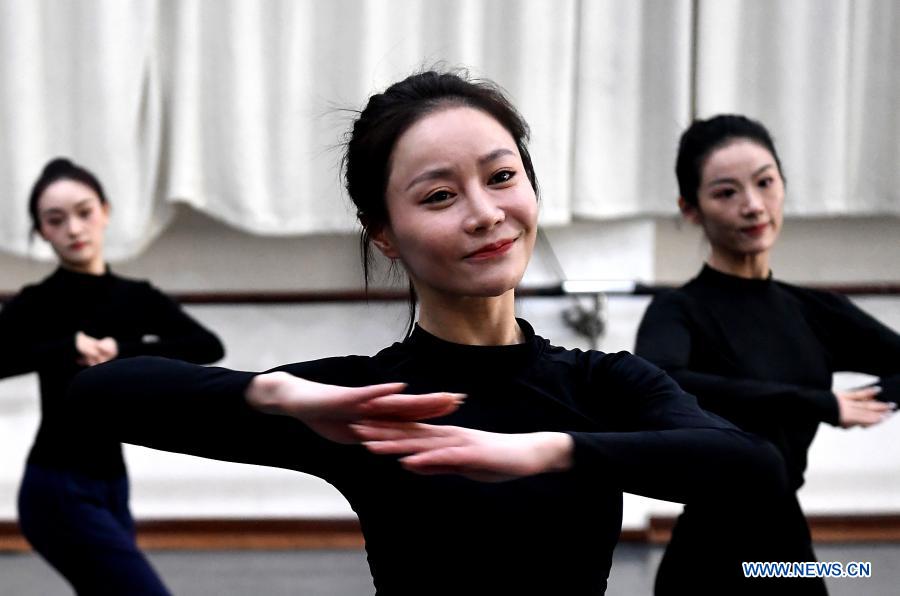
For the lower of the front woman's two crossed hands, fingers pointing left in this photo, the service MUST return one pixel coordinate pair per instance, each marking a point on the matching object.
(475, 454)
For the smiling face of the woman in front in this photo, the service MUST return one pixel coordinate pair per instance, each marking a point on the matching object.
(462, 213)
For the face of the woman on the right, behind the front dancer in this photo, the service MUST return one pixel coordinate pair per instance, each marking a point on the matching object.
(740, 200)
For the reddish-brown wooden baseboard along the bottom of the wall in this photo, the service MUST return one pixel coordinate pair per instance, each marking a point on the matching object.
(289, 534)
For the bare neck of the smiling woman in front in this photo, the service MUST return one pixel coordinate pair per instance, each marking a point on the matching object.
(473, 321)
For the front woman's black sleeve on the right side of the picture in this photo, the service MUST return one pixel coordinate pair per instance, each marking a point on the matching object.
(680, 453)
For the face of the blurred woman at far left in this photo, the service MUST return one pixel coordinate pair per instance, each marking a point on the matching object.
(73, 220)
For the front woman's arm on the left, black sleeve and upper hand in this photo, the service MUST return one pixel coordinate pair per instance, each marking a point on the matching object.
(209, 412)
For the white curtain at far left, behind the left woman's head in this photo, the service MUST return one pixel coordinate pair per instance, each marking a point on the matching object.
(80, 79)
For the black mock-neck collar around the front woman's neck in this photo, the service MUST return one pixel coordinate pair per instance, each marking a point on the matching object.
(424, 344)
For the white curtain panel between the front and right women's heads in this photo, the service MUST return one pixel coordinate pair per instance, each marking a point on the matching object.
(633, 100)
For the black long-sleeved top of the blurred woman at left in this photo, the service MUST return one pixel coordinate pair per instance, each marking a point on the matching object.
(37, 333)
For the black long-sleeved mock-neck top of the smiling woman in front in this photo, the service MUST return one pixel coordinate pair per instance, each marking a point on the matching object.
(633, 429)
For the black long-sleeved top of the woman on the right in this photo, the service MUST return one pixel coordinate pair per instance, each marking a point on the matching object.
(761, 353)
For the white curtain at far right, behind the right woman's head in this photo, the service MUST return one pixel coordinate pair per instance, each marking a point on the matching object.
(824, 77)
